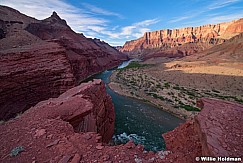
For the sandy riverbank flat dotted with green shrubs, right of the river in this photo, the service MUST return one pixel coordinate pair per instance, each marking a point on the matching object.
(170, 90)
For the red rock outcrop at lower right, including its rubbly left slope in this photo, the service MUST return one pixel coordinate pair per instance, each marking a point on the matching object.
(215, 132)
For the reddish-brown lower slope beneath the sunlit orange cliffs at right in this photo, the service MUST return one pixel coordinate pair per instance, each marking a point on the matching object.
(230, 50)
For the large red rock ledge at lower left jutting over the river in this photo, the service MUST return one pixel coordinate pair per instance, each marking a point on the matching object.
(50, 130)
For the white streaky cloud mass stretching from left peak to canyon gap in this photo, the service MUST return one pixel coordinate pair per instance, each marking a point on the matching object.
(89, 19)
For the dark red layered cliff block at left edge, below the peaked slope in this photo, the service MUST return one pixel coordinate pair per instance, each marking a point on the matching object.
(32, 74)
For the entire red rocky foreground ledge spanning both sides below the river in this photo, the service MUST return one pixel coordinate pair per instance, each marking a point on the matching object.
(76, 126)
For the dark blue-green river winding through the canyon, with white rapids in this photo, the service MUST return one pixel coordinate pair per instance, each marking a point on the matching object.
(138, 121)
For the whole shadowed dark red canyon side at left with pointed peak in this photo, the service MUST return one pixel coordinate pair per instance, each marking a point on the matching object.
(43, 58)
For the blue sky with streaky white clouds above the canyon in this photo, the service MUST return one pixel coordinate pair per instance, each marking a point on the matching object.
(116, 21)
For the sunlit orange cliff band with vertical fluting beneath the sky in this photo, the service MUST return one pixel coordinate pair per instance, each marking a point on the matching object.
(183, 41)
